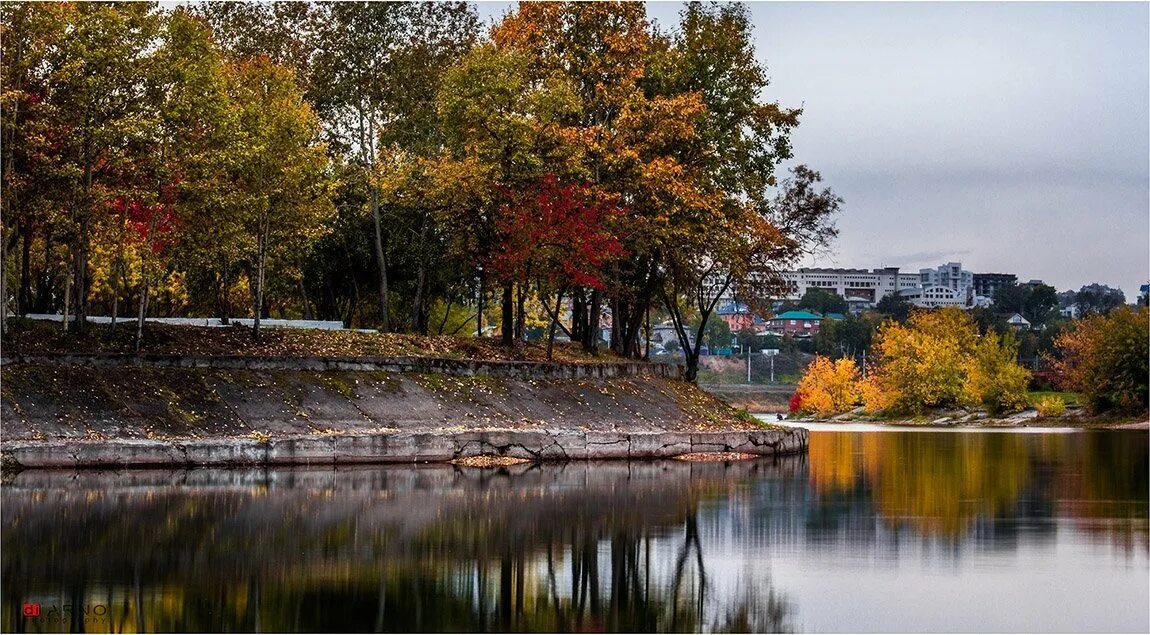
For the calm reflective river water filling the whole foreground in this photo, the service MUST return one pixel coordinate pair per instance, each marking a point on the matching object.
(871, 532)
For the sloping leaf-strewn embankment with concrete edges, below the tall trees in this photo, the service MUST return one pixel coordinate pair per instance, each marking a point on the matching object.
(108, 410)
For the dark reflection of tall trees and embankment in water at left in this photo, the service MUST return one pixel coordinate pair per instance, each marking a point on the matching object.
(580, 547)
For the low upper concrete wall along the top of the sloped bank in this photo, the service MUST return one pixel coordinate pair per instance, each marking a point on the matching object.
(457, 368)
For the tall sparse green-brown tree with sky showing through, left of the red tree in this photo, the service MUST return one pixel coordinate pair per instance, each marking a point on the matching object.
(377, 74)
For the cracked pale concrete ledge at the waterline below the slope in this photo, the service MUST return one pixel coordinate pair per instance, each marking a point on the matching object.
(396, 448)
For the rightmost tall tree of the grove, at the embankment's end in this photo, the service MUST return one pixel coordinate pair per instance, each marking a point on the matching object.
(757, 232)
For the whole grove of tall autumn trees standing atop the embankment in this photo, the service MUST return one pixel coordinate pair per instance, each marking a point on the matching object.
(394, 166)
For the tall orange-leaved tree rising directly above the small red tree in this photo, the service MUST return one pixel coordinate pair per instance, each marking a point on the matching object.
(601, 51)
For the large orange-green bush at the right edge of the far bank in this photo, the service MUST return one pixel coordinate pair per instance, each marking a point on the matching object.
(1106, 359)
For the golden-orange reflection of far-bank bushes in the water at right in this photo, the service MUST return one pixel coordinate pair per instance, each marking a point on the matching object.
(948, 485)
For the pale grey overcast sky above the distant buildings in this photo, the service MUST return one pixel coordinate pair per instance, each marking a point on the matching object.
(1011, 137)
